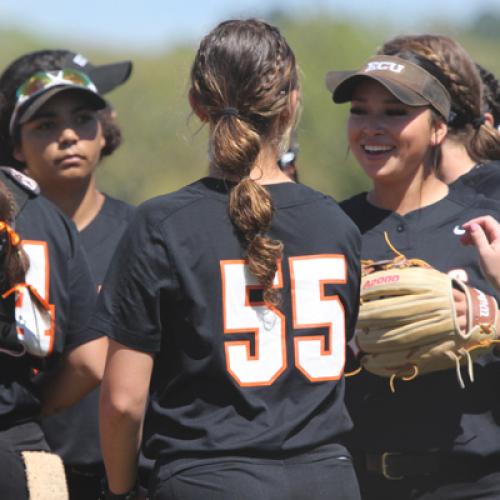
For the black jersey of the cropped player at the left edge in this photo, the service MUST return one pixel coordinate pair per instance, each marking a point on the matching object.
(59, 271)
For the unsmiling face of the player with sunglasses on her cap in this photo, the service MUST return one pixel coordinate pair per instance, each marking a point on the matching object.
(62, 142)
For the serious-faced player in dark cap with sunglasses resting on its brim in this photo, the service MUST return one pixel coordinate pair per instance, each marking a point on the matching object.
(60, 128)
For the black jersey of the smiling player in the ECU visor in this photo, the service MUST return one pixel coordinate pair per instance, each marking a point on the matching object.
(431, 412)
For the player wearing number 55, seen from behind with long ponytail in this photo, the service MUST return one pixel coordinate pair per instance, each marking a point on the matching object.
(229, 303)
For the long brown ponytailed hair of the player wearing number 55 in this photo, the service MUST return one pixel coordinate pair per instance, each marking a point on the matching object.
(241, 80)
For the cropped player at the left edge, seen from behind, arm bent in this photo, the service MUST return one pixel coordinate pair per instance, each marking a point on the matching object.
(59, 272)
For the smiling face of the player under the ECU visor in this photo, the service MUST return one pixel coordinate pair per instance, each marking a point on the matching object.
(392, 141)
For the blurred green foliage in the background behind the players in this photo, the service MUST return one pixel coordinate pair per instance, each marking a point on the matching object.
(165, 147)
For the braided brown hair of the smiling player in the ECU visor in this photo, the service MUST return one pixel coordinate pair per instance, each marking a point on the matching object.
(453, 66)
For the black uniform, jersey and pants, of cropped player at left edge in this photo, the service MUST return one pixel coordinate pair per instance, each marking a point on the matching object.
(60, 273)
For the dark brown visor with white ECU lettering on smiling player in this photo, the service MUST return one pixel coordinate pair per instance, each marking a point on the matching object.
(406, 81)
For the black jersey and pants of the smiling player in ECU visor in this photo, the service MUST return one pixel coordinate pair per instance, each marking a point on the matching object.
(430, 439)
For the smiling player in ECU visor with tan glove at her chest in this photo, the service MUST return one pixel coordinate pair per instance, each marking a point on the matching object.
(430, 439)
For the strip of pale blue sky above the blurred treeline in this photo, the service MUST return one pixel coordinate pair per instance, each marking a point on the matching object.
(141, 24)
